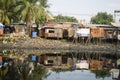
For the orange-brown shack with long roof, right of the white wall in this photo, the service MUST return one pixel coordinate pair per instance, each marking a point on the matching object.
(104, 31)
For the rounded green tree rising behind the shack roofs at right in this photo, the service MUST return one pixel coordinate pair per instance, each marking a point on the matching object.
(102, 18)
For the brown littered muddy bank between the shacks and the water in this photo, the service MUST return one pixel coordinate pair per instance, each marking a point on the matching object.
(42, 44)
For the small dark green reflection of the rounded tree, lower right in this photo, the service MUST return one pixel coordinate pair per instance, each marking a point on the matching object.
(101, 73)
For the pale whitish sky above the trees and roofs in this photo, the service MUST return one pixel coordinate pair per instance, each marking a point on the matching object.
(83, 9)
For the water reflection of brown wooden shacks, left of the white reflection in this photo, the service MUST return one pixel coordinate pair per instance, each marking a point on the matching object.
(55, 59)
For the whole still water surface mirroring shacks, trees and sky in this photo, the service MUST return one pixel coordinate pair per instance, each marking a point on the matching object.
(19, 65)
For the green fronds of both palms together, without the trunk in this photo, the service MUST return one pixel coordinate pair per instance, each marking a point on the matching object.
(25, 10)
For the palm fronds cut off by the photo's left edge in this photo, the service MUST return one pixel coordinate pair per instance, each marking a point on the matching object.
(7, 10)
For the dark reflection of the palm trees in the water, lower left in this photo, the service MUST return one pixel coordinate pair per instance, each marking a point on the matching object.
(22, 72)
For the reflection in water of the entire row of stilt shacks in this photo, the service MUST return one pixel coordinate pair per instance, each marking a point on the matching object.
(93, 60)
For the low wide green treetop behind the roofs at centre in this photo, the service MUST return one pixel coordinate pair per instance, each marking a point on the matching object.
(60, 18)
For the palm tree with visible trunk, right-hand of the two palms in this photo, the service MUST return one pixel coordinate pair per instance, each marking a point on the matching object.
(30, 10)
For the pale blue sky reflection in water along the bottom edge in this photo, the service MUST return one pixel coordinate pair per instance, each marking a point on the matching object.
(75, 75)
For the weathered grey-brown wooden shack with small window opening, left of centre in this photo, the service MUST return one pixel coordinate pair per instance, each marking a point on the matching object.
(51, 31)
